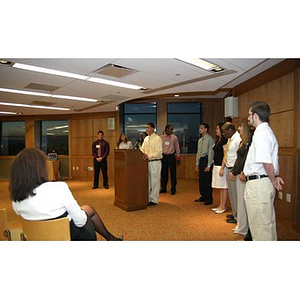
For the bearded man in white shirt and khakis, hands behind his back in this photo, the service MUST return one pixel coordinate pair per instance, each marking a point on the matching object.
(261, 168)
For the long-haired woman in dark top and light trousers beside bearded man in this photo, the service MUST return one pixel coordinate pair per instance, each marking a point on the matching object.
(236, 173)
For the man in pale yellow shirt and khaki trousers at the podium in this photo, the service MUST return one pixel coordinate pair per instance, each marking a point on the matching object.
(152, 149)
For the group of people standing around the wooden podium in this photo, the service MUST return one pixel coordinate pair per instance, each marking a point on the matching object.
(162, 153)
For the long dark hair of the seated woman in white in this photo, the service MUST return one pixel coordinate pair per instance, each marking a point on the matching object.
(28, 171)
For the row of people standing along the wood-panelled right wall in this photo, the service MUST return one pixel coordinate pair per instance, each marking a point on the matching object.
(243, 165)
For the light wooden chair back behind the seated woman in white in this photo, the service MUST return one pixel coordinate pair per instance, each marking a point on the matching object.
(48, 230)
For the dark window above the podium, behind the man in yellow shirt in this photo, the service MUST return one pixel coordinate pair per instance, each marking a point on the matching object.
(135, 118)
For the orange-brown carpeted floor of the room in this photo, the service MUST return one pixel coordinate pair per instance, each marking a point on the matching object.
(176, 218)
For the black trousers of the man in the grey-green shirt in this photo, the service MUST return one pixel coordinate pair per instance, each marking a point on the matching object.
(205, 179)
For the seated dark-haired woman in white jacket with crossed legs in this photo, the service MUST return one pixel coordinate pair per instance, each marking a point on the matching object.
(36, 198)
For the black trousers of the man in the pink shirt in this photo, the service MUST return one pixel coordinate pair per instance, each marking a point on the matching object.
(168, 162)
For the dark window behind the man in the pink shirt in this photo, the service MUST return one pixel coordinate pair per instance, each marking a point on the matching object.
(185, 118)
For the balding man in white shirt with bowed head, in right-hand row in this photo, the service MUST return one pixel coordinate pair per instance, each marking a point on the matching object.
(234, 140)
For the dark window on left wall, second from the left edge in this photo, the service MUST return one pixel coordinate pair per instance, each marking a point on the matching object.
(55, 137)
